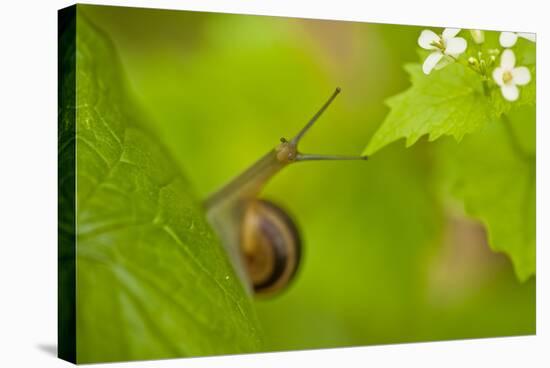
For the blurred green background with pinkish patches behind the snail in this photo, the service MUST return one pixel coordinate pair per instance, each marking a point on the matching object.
(388, 258)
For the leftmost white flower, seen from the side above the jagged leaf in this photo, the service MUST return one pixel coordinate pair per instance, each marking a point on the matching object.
(445, 47)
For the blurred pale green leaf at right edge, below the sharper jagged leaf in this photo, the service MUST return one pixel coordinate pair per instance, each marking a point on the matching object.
(493, 173)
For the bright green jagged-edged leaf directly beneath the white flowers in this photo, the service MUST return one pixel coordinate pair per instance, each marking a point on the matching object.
(449, 101)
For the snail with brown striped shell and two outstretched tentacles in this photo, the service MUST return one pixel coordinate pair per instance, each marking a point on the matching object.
(262, 240)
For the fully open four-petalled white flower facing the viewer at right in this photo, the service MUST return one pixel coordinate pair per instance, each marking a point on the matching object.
(508, 77)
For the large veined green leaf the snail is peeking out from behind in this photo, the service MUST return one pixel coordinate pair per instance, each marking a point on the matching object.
(152, 279)
